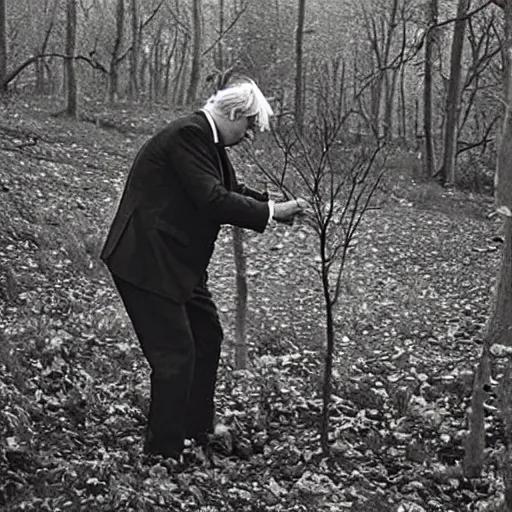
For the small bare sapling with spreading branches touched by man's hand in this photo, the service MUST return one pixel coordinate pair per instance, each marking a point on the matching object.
(340, 182)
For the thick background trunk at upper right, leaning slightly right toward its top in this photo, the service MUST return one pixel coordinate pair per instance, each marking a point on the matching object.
(449, 174)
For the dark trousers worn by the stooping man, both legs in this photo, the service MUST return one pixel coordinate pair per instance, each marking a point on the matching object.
(182, 345)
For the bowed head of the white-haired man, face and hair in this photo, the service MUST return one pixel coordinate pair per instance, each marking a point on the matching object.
(239, 108)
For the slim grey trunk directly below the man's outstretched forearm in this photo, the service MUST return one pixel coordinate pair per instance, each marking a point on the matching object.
(241, 299)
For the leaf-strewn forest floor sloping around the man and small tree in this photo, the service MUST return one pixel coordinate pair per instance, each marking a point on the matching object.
(74, 386)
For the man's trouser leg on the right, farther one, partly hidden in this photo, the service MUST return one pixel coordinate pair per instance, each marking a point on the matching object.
(207, 331)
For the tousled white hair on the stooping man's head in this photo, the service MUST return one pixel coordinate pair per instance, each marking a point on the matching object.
(242, 98)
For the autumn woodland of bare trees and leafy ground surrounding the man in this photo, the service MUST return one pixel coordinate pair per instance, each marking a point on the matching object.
(366, 361)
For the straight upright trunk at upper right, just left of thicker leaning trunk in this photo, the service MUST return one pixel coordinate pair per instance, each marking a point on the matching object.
(430, 164)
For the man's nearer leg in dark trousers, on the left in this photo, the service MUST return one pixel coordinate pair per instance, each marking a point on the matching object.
(164, 333)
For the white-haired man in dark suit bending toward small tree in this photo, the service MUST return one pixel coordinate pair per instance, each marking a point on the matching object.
(180, 190)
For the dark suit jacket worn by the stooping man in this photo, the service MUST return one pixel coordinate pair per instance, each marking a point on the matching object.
(180, 189)
